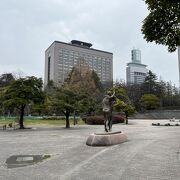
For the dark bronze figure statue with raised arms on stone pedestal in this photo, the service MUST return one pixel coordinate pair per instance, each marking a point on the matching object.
(108, 102)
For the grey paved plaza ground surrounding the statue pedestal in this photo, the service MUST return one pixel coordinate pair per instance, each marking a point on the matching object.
(151, 153)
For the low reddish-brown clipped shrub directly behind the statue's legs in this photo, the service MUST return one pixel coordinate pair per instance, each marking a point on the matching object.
(99, 120)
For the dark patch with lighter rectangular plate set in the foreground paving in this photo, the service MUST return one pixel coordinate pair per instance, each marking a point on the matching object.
(24, 160)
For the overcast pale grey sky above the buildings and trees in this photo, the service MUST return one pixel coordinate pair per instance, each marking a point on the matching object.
(28, 27)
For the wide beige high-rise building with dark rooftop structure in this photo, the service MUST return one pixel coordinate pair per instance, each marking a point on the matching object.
(61, 57)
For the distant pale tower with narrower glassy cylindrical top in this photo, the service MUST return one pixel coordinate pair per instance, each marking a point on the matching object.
(135, 71)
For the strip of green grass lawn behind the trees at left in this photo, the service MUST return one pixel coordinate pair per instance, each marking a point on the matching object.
(41, 122)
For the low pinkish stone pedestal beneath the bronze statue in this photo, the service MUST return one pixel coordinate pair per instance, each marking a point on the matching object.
(106, 139)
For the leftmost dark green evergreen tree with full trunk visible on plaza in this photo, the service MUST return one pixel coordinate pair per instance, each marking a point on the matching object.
(22, 92)
